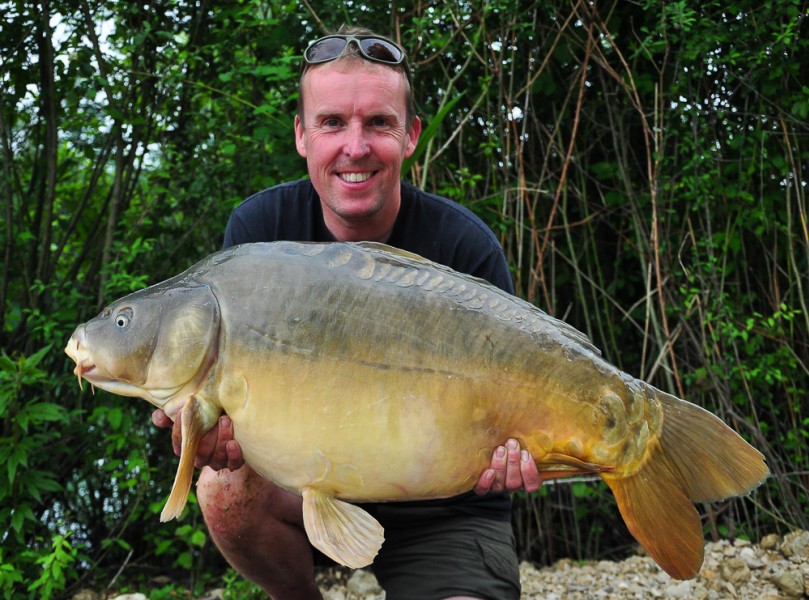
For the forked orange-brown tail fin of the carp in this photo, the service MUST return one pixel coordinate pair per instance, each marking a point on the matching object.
(697, 458)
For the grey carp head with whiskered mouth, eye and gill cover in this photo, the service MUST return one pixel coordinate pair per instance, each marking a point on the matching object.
(153, 344)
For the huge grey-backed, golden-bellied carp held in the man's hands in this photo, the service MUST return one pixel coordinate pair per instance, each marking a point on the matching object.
(356, 372)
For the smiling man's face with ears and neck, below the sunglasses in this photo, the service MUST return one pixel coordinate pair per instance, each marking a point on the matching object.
(354, 140)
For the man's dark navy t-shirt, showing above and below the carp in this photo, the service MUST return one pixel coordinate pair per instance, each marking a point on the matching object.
(428, 225)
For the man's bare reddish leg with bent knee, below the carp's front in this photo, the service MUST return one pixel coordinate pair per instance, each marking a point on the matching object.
(258, 528)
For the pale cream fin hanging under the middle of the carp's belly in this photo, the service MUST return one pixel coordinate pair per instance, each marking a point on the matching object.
(342, 531)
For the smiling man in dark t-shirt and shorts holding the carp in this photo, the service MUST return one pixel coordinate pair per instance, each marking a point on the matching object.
(355, 126)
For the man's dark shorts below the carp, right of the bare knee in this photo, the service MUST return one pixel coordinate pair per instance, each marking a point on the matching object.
(432, 553)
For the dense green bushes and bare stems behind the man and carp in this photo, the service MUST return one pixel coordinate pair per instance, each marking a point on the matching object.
(645, 165)
